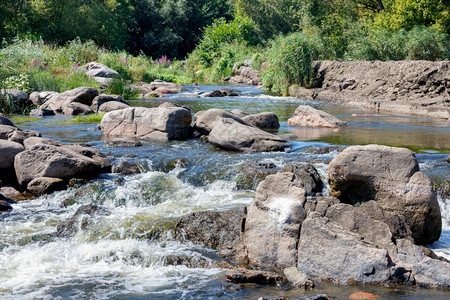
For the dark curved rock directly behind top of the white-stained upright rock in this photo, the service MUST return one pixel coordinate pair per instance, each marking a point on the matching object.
(308, 174)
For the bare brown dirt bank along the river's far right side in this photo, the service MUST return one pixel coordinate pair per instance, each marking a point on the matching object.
(406, 87)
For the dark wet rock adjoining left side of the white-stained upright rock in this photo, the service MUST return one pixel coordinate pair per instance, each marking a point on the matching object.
(219, 230)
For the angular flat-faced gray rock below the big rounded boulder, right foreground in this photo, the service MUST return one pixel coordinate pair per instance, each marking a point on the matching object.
(327, 251)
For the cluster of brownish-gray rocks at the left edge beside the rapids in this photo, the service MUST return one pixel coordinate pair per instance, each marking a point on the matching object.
(39, 165)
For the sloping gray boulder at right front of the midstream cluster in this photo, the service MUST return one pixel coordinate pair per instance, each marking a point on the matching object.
(230, 134)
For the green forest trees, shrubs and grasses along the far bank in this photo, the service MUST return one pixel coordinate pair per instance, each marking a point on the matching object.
(43, 42)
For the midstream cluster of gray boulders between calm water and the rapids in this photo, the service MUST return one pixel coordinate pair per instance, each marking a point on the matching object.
(236, 130)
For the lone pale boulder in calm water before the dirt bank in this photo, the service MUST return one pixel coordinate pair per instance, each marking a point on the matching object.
(308, 116)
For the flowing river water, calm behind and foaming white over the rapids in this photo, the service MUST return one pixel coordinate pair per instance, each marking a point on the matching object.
(127, 251)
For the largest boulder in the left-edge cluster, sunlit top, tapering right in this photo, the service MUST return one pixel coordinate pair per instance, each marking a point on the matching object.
(51, 161)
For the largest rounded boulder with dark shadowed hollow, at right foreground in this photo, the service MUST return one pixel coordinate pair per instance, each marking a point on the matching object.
(391, 177)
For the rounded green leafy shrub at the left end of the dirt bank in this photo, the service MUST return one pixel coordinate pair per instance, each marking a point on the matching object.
(290, 62)
